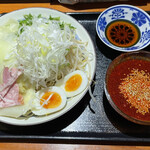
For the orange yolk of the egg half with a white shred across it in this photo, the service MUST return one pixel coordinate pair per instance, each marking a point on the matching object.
(54, 101)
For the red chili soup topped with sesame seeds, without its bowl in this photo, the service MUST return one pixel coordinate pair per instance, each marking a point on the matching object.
(133, 71)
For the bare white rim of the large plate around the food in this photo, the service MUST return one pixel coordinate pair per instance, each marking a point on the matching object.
(81, 33)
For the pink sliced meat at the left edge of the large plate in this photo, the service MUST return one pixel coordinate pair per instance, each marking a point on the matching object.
(9, 89)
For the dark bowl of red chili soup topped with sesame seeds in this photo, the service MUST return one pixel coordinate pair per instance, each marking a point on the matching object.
(127, 86)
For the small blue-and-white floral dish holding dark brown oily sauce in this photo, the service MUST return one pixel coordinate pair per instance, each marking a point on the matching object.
(124, 28)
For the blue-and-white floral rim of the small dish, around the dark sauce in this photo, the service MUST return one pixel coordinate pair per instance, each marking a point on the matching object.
(131, 14)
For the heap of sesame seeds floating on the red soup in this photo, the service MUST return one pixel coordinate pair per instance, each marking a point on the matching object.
(136, 89)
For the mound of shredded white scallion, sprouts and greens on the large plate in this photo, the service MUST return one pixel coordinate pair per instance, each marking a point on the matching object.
(48, 49)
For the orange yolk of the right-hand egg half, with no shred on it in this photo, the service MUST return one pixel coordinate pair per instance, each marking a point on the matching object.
(73, 83)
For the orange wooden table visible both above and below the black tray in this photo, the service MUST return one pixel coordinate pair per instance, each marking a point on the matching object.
(11, 5)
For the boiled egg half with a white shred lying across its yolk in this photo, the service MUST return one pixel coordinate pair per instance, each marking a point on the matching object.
(49, 100)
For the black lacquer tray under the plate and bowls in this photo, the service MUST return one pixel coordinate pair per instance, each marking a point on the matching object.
(89, 122)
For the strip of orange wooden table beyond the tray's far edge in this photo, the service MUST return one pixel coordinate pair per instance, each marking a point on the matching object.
(81, 7)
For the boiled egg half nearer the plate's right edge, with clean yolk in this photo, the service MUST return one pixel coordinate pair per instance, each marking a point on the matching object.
(74, 83)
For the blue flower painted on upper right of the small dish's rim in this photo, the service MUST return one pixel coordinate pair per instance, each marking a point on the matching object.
(138, 18)
